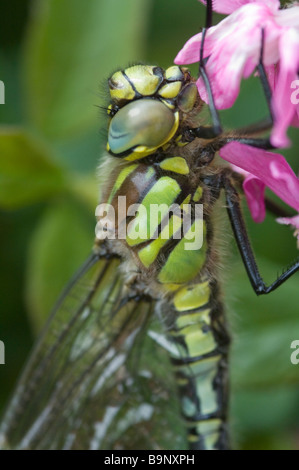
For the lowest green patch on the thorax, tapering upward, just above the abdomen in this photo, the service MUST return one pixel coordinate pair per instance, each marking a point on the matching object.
(184, 264)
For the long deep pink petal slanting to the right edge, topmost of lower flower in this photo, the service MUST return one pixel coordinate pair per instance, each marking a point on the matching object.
(271, 168)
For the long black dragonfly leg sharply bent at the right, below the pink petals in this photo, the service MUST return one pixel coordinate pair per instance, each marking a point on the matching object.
(242, 239)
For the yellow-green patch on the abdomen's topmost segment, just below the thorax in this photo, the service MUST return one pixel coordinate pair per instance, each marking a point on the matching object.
(192, 297)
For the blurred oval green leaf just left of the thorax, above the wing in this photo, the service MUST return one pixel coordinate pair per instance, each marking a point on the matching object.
(61, 243)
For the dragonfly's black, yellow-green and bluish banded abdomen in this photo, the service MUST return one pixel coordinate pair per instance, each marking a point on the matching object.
(199, 333)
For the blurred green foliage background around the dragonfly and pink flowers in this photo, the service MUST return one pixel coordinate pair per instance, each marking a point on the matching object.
(55, 57)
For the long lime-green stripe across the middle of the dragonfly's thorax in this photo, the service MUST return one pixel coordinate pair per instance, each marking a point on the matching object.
(153, 208)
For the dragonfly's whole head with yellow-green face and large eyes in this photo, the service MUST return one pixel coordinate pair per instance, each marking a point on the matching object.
(147, 105)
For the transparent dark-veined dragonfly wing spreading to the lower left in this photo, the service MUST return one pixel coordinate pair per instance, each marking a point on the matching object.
(99, 377)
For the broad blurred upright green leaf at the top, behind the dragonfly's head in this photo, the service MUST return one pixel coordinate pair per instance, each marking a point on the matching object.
(72, 46)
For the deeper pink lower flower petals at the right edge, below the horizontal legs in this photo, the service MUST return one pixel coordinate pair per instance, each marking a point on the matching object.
(263, 169)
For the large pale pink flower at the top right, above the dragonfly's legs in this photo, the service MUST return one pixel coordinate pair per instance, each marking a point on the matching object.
(233, 47)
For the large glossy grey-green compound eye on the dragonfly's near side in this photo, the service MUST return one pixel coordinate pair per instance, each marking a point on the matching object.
(145, 122)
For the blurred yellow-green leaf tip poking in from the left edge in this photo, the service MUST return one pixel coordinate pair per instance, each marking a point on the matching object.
(27, 173)
